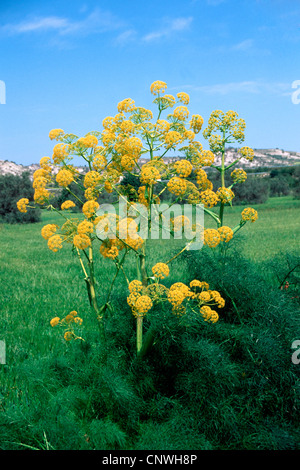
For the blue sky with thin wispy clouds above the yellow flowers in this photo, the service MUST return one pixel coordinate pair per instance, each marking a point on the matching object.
(66, 64)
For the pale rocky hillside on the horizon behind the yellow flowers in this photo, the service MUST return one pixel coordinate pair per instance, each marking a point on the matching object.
(263, 158)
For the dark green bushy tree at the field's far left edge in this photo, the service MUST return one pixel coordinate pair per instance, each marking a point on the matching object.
(13, 188)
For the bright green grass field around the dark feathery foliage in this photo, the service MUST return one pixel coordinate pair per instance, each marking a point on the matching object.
(37, 284)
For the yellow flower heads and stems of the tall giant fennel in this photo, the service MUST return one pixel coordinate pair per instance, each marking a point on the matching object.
(133, 132)
